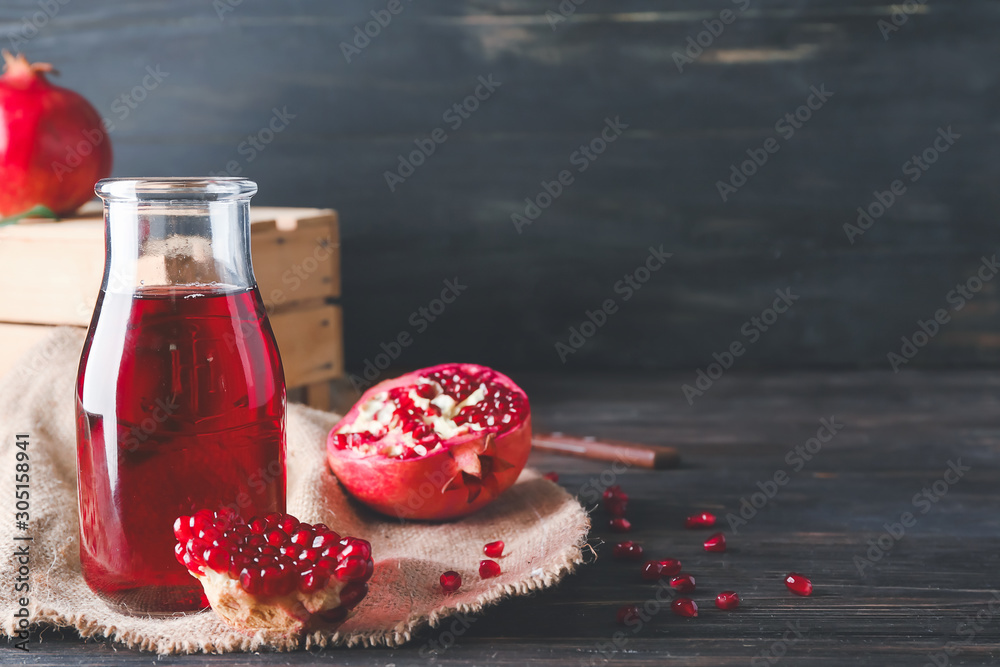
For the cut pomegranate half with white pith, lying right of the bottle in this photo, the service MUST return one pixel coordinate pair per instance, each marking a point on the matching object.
(437, 443)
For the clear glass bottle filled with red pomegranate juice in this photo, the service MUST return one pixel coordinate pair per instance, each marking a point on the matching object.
(180, 397)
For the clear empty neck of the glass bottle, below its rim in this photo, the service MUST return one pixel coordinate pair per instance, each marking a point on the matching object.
(177, 244)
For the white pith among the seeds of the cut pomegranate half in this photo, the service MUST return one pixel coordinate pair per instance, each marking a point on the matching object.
(375, 415)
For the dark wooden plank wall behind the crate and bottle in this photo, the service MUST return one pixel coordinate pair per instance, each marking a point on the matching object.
(656, 185)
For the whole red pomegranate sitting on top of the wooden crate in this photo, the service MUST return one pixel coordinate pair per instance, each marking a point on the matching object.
(53, 146)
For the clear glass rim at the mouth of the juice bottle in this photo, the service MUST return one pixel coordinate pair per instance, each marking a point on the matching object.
(175, 189)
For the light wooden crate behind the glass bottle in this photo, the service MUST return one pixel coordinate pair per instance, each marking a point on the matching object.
(50, 274)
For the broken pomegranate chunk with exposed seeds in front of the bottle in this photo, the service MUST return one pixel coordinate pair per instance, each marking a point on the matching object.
(273, 572)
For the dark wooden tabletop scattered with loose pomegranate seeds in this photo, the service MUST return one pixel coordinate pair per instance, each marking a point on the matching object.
(932, 589)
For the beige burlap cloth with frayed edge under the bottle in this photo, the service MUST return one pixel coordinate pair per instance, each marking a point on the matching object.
(543, 527)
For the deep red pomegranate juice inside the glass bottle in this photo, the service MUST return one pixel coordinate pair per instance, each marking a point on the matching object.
(180, 406)
